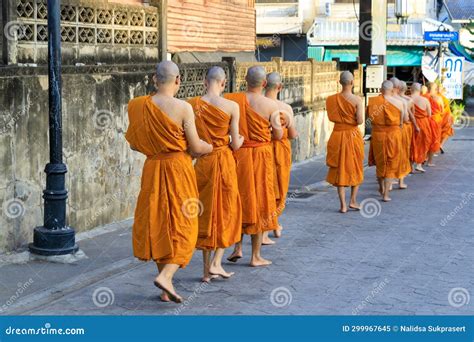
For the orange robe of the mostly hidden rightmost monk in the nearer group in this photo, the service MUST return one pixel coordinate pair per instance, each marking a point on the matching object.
(282, 155)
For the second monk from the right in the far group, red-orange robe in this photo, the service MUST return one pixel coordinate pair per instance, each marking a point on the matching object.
(436, 104)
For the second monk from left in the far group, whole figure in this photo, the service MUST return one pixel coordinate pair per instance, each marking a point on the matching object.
(386, 114)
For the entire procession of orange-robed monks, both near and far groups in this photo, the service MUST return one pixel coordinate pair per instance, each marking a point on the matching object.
(240, 142)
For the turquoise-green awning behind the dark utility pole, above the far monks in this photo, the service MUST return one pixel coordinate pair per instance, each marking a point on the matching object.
(396, 55)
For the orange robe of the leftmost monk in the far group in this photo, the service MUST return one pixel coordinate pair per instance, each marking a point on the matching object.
(345, 149)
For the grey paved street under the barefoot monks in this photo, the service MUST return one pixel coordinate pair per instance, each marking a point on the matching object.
(411, 256)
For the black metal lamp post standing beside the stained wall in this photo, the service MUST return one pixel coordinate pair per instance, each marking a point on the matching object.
(54, 237)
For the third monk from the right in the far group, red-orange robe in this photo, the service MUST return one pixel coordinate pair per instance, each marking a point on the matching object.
(421, 138)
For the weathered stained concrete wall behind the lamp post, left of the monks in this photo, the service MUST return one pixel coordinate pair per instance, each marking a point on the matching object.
(104, 174)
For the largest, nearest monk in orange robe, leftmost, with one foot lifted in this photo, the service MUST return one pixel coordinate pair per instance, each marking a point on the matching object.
(166, 217)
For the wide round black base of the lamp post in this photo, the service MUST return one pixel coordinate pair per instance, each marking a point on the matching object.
(53, 242)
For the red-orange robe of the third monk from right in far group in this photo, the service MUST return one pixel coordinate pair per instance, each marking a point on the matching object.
(422, 139)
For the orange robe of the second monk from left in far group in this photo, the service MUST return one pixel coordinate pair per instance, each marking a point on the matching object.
(386, 138)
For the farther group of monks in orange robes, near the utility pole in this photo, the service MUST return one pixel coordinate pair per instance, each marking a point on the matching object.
(407, 132)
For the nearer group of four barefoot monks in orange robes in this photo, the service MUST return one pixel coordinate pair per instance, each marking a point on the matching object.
(237, 185)
